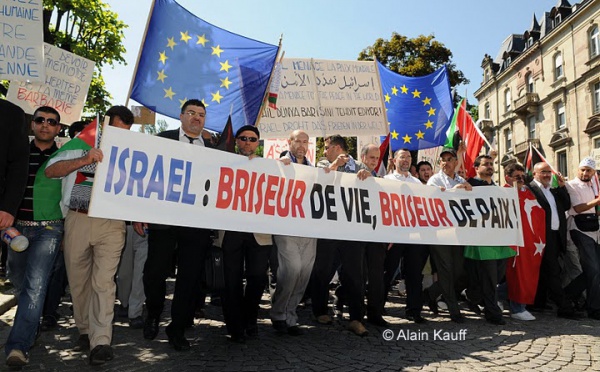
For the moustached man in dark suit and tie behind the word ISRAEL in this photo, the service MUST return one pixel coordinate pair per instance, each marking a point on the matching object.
(191, 244)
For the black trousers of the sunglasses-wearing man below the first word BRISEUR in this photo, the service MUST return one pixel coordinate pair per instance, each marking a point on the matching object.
(243, 257)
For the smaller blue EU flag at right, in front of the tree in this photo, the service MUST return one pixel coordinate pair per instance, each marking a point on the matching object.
(419, 109)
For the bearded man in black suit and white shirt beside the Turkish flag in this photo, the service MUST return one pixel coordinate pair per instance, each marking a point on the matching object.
(556, 202)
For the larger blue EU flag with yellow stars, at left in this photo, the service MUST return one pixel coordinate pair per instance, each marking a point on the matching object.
(184, 57)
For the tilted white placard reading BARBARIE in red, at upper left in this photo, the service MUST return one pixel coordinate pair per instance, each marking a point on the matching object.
(68, 78)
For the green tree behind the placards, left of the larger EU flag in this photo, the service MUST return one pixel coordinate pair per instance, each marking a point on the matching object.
(89, 29)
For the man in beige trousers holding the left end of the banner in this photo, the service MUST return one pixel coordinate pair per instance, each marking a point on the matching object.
(92, 246)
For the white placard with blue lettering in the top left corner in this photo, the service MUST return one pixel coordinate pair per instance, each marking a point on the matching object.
(22, 41)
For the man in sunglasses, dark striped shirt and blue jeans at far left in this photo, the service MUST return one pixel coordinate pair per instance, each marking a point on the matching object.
(30, 269)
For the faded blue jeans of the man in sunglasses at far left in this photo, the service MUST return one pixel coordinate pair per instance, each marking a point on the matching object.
(29, 271)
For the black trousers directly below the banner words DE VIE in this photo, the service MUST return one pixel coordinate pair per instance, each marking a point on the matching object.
(351, 255)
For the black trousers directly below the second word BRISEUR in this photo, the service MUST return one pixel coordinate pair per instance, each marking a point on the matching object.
(415, 258)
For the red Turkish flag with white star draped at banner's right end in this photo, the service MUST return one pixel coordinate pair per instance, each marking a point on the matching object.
(523, 270)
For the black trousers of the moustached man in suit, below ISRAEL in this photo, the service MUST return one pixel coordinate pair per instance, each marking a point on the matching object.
(191, 245)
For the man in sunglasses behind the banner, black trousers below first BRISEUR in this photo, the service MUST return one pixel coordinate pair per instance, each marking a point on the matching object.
(244, 253)
